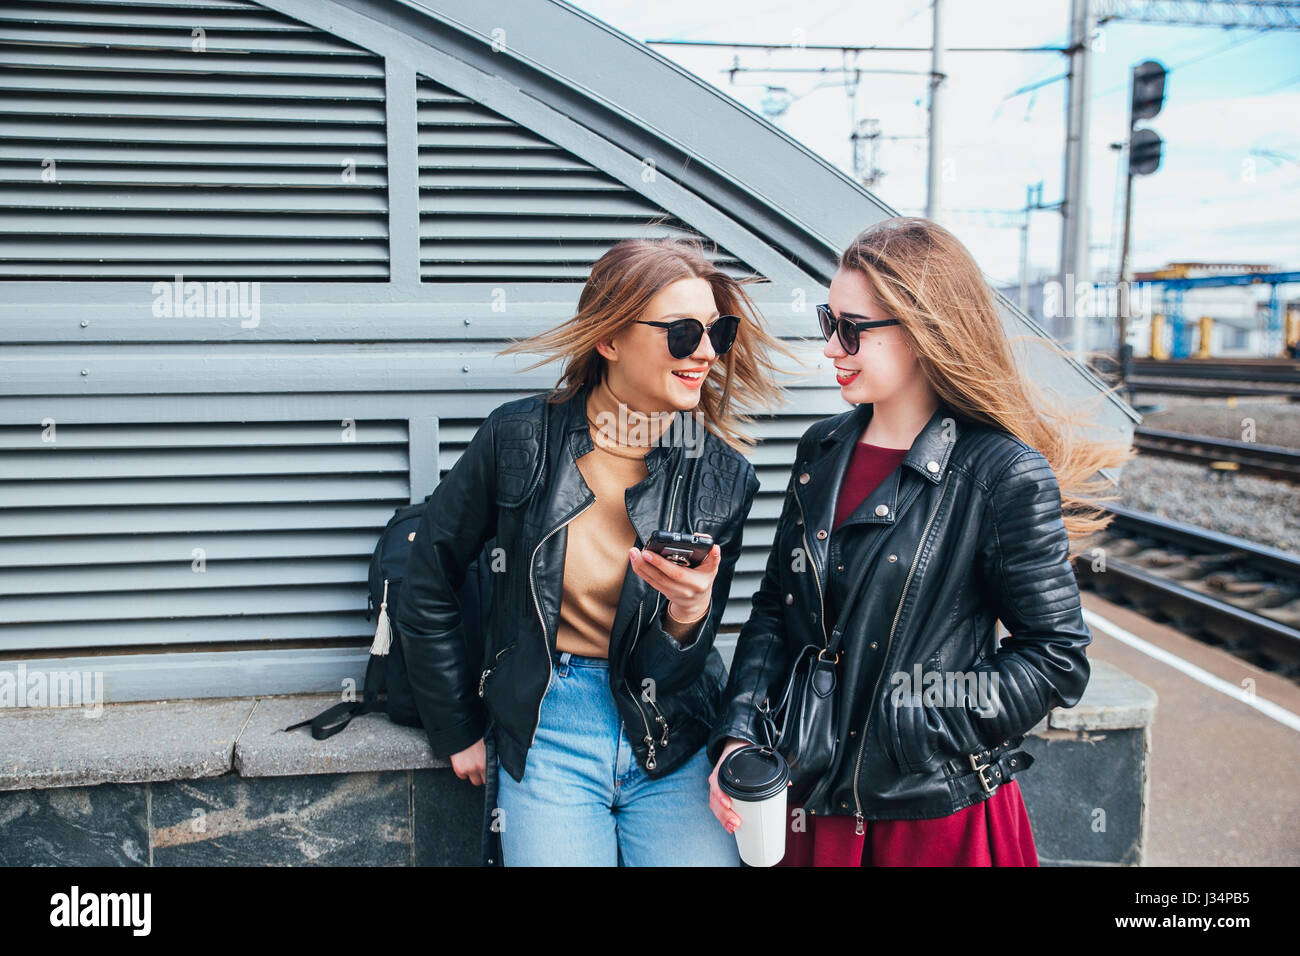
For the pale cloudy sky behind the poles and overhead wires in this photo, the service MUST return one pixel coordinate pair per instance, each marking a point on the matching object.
(1229, 184)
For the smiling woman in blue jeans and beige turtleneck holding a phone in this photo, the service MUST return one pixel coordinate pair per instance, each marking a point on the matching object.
(600, 681)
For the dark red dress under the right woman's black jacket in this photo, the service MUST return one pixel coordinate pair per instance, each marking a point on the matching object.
(991, 833)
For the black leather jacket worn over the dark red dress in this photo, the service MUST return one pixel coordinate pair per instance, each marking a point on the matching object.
(965, 533)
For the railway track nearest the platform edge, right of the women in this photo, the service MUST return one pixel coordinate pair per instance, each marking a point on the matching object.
(1216, 587)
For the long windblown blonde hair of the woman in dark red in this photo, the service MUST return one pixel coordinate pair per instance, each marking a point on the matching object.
(926, 278)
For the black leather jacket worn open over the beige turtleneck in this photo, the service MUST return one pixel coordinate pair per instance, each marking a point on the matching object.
(515, 488)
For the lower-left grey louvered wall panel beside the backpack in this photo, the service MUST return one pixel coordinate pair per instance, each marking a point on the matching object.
(133, 525)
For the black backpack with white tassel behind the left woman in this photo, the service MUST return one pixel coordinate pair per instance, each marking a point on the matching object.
(385, 672)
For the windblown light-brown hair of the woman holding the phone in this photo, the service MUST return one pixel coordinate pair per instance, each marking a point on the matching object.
(621, 287)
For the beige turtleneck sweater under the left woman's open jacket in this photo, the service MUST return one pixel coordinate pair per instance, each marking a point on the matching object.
(596, 553)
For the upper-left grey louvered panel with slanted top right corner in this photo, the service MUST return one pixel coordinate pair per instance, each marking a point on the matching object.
(268, 137)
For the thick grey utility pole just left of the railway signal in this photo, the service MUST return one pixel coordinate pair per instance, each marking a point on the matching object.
(1074, 206)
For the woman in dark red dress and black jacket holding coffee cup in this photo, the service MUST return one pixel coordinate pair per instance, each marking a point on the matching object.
(944, 501)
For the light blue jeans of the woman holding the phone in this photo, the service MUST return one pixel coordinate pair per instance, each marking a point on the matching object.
(587, 802)
